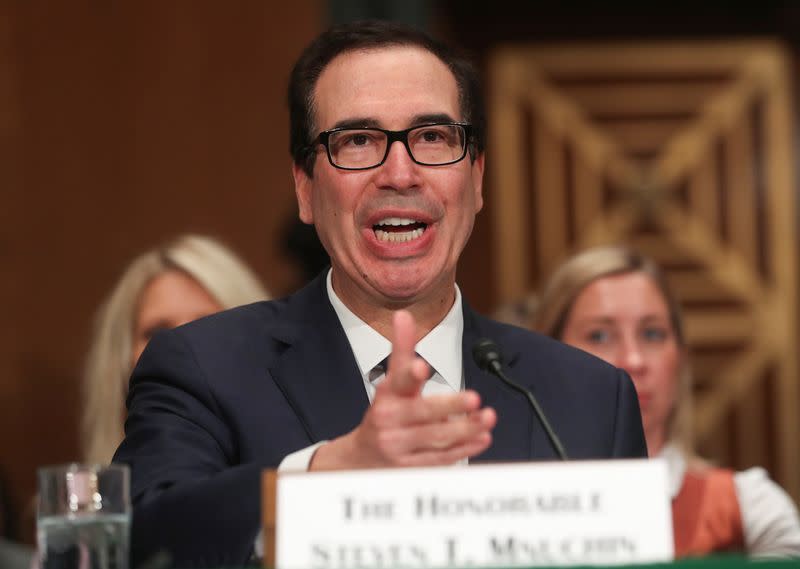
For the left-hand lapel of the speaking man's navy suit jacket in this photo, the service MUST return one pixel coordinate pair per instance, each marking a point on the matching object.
(317, 371)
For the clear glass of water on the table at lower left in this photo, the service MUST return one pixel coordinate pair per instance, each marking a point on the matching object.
(83, 519)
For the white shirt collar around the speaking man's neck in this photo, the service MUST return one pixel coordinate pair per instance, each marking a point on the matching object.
(441, 347)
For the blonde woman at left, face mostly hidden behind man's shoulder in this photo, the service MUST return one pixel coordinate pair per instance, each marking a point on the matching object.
(185, 279)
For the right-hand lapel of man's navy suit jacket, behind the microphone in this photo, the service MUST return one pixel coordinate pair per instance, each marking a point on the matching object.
(511, 438)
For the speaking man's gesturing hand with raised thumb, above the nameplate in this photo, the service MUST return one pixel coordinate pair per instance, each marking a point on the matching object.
(402, 428)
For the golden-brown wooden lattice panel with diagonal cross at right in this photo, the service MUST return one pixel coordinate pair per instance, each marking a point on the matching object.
(685, 152)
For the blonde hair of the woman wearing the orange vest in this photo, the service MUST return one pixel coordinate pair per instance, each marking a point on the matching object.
(575, 274)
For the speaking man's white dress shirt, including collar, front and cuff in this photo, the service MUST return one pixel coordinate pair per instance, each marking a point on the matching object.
(441, 348)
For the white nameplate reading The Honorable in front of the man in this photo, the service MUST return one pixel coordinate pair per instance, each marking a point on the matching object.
(501, 515)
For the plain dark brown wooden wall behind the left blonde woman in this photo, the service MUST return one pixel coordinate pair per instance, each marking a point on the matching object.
(126, 123)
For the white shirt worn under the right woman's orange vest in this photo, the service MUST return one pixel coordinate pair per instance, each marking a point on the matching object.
(769, 517)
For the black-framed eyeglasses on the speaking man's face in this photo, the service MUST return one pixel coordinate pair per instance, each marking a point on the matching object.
(364, 148)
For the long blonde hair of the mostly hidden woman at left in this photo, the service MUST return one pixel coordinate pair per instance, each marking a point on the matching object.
(108, 366)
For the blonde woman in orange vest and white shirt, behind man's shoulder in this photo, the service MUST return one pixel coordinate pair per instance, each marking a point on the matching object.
(615, 304)
